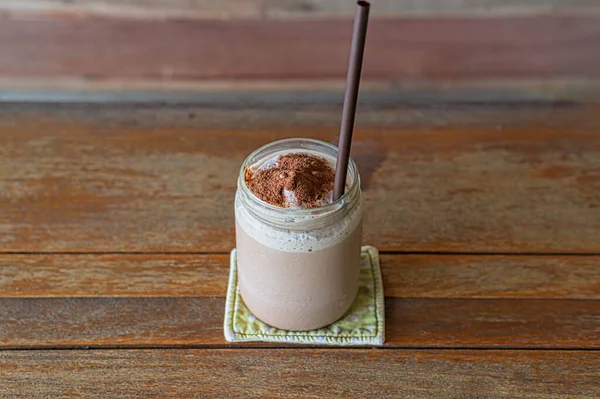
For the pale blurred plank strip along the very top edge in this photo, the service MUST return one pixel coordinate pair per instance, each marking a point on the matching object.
(205, 9)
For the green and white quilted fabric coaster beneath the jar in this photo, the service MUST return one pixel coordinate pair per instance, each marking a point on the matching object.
(364, 324)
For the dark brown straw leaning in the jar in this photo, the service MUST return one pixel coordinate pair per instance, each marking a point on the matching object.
(352, 81)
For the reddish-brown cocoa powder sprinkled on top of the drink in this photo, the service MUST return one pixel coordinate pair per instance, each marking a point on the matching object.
(309, 177)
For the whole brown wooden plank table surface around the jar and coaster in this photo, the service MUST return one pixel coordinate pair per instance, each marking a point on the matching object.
(116, 221)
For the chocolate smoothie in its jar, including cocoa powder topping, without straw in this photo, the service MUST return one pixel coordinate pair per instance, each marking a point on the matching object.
(298, 252)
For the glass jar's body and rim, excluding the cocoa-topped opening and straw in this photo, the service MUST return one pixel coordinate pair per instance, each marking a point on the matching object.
(298, 269)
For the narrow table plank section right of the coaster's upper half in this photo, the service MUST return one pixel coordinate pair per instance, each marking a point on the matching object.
(454, 276)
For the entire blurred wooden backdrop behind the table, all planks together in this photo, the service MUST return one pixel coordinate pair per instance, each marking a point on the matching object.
(494, 50)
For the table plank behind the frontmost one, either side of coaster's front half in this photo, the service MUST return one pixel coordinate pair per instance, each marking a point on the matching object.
(410, 322)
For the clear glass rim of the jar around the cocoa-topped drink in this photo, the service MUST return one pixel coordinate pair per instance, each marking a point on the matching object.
(335, 205)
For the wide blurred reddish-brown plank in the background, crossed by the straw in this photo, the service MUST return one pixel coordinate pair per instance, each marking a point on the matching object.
(413, 49)
